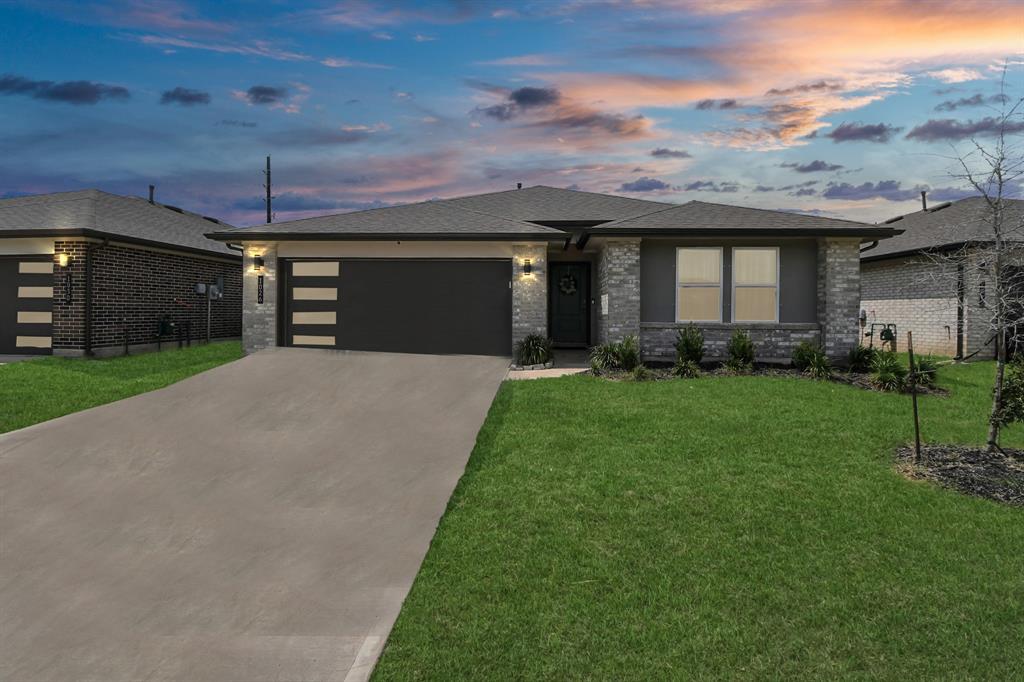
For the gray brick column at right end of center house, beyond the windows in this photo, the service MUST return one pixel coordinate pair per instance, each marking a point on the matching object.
(839, 295)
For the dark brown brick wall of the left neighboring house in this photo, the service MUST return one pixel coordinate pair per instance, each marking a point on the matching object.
(133, 288)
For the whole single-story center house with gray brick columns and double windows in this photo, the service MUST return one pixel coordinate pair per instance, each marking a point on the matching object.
(476, 275)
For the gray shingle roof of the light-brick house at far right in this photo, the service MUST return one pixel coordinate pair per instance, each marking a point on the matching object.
(946, 226)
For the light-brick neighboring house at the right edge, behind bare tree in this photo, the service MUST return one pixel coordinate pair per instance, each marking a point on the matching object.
(910, 281)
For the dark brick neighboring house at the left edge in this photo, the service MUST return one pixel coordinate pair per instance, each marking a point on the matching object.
(91, 273)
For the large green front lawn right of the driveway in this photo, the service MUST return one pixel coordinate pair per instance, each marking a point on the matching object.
(744, 528)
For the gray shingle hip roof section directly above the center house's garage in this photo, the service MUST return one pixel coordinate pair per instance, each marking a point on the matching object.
(426, 219)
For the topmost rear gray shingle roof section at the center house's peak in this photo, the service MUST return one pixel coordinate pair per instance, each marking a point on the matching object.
(545, 204)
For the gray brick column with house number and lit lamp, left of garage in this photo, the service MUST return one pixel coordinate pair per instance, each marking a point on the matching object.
(260, 321)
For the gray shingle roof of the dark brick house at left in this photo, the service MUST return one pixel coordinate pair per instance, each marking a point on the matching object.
(98, 214)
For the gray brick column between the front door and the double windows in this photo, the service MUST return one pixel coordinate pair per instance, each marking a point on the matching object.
(619, 290)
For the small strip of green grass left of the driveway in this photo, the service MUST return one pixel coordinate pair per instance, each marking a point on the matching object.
(36, 391)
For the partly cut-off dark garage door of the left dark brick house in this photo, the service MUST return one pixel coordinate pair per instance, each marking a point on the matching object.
(26, 306)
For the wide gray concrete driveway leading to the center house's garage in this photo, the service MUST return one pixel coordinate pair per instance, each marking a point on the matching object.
(264, 521)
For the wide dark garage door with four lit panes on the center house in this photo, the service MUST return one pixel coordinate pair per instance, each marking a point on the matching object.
(401, 306)
